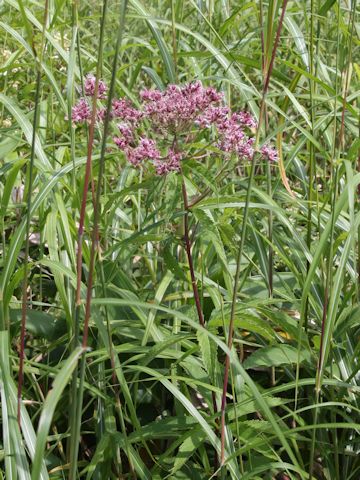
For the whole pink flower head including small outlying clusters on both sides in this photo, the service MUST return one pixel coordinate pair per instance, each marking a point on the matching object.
(168, 122)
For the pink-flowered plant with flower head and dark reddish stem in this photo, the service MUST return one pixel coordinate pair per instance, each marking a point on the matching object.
(169, 127)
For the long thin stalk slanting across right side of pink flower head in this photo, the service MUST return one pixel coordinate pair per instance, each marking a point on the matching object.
(243, 233)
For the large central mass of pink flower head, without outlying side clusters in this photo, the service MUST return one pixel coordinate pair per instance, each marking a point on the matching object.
(180, 112)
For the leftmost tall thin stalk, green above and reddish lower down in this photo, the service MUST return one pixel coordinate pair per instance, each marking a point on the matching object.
(30, 175)
